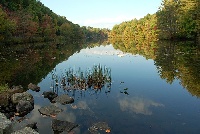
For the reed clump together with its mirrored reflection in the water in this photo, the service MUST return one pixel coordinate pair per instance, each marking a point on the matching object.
(74, 81)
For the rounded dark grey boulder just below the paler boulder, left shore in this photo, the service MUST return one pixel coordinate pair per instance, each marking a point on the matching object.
(24, 107)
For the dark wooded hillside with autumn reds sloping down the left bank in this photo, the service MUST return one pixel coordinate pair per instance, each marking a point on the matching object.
(30, 21)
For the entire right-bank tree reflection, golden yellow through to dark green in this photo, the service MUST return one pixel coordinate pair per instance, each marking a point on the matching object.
(174, 60)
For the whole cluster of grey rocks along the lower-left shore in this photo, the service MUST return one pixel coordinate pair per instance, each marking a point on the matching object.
(18, 102)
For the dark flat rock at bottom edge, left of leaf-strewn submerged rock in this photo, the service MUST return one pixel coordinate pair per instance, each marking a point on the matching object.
(60, 126)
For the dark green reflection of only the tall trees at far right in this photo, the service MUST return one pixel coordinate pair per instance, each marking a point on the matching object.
(180, 60)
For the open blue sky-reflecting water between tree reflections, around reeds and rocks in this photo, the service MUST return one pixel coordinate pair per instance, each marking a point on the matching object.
(138, 101)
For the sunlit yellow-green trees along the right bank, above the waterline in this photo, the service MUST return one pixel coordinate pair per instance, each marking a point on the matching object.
(175, 19)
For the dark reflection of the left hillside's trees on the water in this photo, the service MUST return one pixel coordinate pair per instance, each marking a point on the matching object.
(23, 64)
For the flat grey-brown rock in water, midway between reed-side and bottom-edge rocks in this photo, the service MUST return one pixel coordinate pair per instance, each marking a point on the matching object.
(50, 110)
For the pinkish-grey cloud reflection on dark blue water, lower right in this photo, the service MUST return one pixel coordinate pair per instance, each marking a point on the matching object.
(138, 105)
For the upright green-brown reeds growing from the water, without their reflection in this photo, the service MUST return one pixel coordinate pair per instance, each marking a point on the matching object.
(95, 78)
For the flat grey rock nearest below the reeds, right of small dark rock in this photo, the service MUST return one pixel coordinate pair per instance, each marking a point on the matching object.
(63, 99)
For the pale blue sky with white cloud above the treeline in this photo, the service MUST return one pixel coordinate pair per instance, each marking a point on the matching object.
(102, 13)
